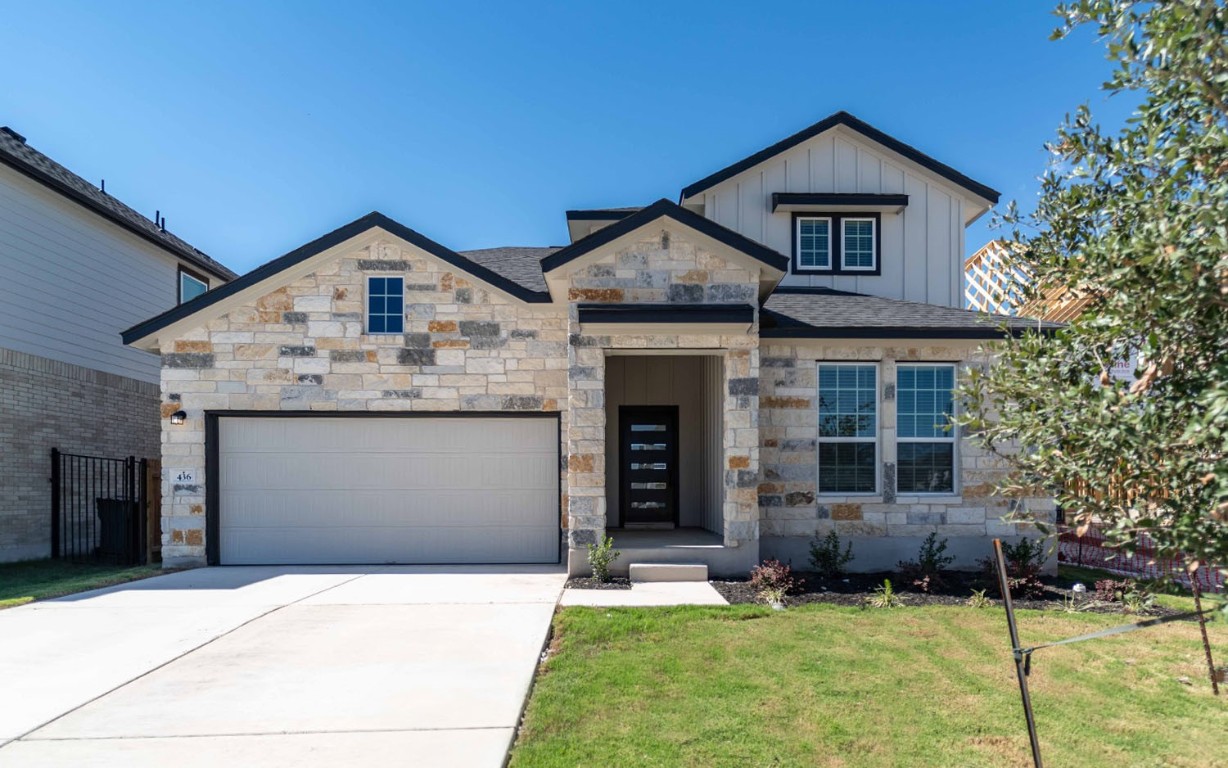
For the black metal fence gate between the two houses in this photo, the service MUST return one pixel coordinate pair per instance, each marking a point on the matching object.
(99, 509)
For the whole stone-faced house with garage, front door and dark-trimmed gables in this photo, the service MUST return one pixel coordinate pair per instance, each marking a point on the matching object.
(715, 380)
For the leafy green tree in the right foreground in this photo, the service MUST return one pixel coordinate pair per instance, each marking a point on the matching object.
(1134, 224)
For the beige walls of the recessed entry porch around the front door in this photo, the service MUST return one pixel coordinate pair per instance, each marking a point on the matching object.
(686, 382)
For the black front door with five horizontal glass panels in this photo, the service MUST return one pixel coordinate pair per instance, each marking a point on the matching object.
(649, 466)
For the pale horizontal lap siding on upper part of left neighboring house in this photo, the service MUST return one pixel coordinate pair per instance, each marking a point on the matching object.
(72, 281)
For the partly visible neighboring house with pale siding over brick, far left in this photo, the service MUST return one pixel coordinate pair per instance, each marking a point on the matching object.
(77, 267)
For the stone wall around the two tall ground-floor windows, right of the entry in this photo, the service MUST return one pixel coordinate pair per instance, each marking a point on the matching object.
(885, 528)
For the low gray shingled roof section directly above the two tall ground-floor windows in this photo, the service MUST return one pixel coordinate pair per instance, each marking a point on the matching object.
(825, 313)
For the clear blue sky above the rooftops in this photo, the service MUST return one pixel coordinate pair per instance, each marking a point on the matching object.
(256, 127)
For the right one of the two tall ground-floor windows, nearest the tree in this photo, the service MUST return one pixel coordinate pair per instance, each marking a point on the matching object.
(927, 436)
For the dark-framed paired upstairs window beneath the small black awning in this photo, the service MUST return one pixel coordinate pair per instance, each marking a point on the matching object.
(837, 244)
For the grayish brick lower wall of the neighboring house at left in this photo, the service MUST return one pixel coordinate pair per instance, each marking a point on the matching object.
(45, 405)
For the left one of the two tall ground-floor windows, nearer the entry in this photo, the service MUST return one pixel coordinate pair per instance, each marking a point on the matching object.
(848, 442)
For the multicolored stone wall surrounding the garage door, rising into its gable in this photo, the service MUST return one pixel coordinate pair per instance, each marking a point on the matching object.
(303, 347)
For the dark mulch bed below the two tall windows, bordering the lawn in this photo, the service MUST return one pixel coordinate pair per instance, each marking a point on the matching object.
(857, 589)
